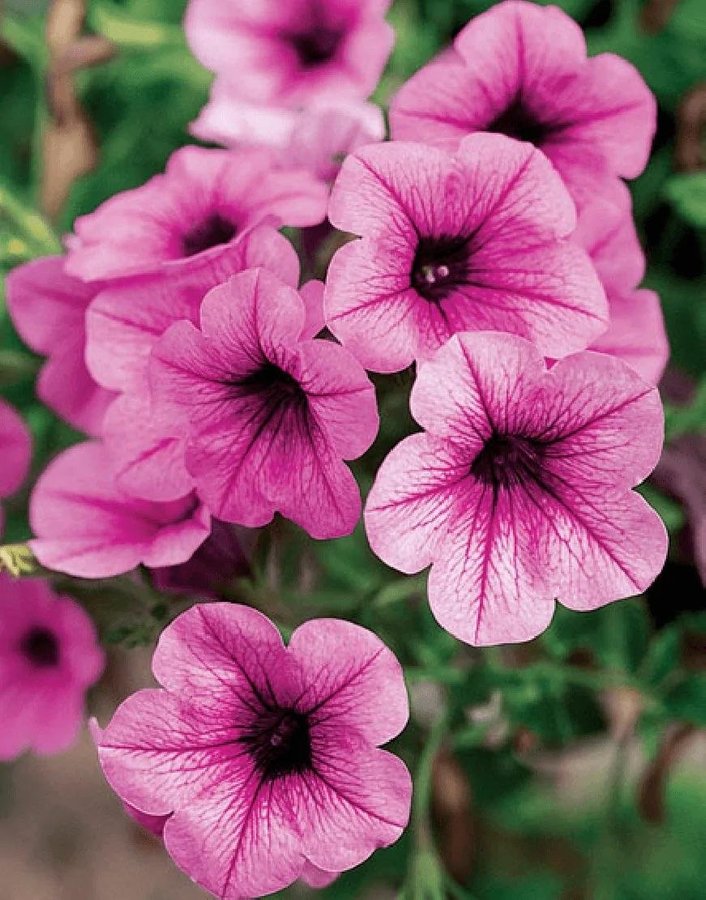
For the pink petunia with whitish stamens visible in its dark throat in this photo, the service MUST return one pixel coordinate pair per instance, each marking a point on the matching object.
(478, 240)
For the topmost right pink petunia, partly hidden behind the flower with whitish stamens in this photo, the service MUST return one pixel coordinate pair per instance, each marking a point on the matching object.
(521, 70)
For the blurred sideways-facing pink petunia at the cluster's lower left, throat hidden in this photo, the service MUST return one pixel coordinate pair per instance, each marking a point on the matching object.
(87, 527)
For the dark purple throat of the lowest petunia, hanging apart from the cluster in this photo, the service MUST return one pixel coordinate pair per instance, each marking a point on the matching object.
(279, 743)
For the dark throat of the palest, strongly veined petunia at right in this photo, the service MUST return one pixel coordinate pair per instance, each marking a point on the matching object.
(508, 460)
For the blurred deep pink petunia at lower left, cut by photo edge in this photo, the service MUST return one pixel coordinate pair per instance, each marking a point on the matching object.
(49, 657)
